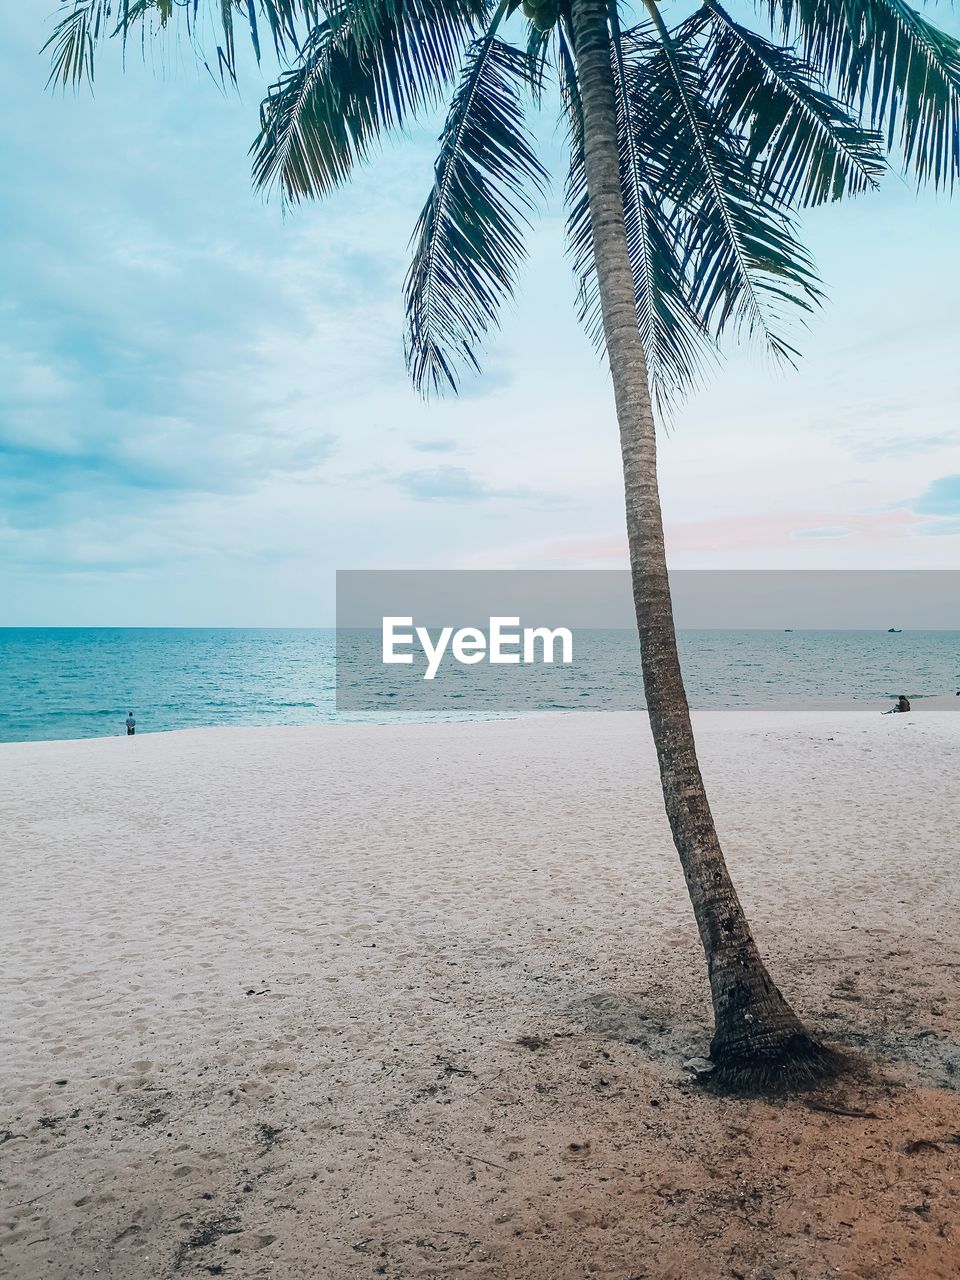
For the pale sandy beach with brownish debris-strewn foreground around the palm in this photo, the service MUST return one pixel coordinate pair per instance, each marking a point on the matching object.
(417, 1002)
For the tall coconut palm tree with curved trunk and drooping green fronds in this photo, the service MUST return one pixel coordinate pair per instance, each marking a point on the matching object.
(692, 147)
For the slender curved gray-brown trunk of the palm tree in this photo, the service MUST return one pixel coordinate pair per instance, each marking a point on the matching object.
(758, 1040)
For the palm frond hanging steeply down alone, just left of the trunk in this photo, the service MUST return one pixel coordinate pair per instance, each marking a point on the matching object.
(468, 244)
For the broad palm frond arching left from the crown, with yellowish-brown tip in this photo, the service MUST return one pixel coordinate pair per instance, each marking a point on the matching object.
(363, 71)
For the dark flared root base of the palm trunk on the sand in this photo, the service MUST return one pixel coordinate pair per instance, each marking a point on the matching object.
(772, 1066)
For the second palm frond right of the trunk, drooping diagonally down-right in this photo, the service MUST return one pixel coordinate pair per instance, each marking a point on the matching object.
(740, 248)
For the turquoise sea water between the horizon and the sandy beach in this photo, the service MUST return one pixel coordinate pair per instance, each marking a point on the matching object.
(79, 683)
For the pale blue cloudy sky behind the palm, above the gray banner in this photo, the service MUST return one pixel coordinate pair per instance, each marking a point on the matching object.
(204, 410)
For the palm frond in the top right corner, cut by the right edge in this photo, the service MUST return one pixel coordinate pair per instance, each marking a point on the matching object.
(893, 66)
